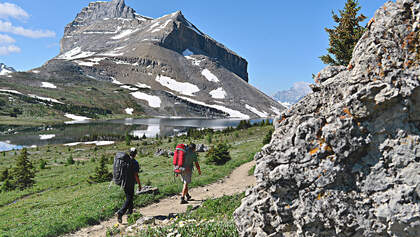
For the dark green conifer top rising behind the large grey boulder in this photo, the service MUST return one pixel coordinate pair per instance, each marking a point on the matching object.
(344, 37)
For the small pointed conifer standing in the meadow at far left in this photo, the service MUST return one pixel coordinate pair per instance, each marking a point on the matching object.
(23, 173)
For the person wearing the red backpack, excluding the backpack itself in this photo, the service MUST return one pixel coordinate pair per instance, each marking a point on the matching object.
(190, 158)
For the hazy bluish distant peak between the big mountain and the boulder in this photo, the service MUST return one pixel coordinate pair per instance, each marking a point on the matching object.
(293, 95)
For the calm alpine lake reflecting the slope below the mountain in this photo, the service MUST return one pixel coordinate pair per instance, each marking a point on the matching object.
(105, 132)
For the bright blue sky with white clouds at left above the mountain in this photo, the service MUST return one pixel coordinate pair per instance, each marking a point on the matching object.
(281, 40)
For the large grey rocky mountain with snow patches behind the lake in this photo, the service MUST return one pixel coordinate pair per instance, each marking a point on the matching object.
(169, 65)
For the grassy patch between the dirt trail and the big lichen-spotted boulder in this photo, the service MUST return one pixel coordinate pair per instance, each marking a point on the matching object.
(213, 218)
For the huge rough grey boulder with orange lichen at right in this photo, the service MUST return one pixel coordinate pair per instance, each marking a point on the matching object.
(345, 160)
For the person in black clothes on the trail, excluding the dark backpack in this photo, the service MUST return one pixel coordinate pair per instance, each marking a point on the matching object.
(132, 178)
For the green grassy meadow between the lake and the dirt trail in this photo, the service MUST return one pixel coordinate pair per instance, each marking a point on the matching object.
(62, 200)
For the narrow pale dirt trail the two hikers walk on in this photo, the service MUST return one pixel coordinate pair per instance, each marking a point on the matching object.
(238, 181)
